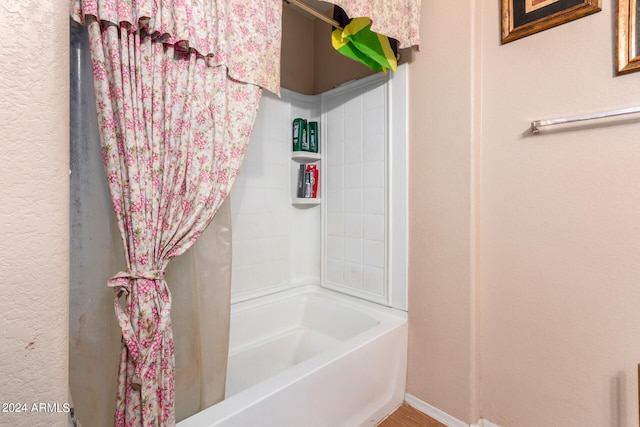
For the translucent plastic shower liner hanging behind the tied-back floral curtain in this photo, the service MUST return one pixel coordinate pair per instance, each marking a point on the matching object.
(200, 279)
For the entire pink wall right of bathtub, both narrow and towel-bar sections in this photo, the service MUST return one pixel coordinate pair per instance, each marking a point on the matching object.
(524, 265)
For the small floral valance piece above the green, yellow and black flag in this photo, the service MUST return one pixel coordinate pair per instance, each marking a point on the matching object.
(399, 19)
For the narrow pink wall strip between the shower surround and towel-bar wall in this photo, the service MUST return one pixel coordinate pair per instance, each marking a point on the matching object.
(442, 342)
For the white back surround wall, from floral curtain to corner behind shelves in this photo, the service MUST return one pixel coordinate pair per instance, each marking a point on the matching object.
(269, 234)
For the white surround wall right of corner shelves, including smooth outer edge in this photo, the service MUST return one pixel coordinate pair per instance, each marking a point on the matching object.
(364, 212)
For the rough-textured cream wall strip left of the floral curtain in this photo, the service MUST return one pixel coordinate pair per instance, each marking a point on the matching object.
(34, 261)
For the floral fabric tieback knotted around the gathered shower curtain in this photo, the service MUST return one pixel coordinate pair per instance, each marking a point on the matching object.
(122, 281)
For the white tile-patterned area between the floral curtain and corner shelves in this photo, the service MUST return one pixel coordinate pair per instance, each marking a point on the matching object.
(260, 202)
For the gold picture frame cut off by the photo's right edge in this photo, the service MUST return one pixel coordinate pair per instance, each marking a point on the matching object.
(628, 56)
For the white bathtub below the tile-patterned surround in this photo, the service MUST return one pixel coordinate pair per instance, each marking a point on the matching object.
(311, 357)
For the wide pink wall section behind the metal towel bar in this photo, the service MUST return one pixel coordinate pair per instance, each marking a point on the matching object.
(560, 229)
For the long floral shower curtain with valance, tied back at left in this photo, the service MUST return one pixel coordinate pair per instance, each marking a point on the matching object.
(177, 88)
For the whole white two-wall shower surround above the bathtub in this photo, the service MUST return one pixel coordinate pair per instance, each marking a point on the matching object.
(353, 238)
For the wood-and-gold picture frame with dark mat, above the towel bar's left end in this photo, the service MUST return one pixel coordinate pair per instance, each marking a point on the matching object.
(521, 18)
